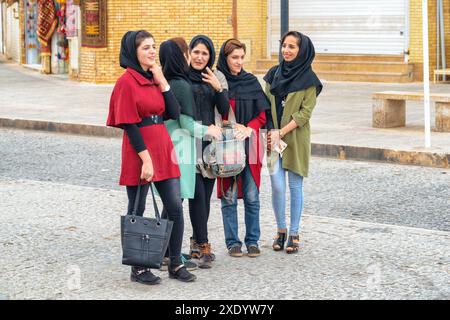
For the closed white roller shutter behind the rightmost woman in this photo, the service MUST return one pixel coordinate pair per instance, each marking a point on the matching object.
(344, 26)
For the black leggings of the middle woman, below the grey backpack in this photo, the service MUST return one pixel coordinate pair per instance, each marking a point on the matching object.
(199, 208)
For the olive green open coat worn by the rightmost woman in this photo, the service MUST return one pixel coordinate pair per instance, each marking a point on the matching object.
(298, 107)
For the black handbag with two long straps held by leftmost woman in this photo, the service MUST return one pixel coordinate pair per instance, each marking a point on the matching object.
(144, 240)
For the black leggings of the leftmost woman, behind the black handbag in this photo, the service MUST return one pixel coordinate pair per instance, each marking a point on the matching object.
(170, 193)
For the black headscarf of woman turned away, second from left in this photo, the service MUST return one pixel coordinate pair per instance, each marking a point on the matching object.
(173, 61)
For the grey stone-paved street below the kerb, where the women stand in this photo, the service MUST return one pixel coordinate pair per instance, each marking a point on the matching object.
(369, 231)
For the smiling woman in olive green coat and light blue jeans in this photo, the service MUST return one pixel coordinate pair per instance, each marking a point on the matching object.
(292, 88)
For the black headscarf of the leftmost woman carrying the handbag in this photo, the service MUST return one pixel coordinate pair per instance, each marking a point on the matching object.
(128, 54)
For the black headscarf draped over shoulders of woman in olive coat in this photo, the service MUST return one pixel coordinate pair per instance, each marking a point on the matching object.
(295, 75)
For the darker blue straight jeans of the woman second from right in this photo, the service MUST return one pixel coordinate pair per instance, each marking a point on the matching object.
(251, 205)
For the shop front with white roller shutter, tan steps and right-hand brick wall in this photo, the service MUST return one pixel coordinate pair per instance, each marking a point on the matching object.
(382, 38)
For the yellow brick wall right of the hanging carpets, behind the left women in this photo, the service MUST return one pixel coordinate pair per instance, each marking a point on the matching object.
(164, 19)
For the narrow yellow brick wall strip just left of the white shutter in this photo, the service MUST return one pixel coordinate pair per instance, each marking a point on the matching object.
(252, 30)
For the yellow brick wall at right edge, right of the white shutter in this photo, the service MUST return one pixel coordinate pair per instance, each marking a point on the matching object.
(416, 48)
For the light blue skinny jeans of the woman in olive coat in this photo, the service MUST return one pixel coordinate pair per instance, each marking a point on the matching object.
(278, 180)
